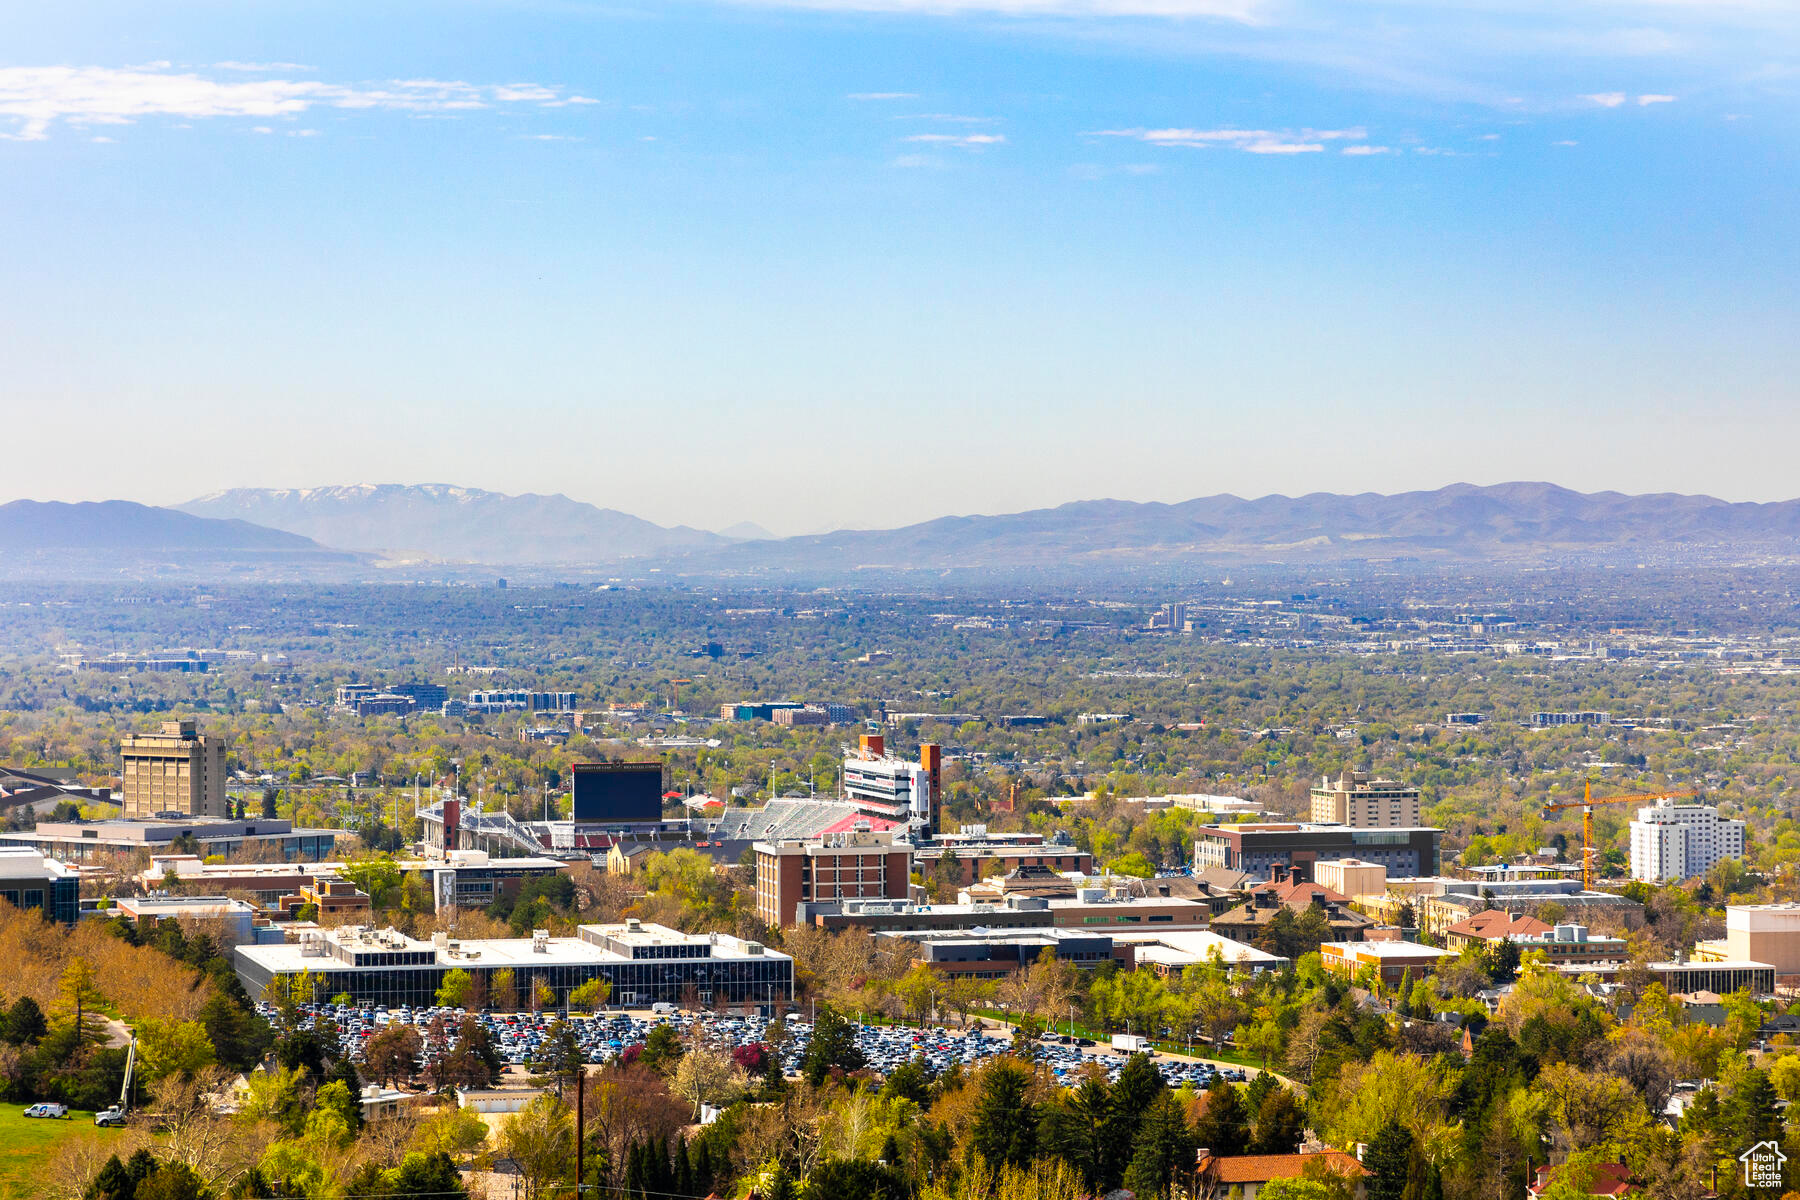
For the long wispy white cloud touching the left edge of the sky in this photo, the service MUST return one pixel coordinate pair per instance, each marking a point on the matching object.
(39, 98)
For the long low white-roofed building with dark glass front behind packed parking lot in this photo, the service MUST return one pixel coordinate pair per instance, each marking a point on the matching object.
(643, 963)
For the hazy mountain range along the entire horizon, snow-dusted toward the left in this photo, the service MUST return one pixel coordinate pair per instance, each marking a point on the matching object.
(379, 526)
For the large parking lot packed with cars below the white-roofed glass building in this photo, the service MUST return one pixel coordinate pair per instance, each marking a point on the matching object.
(521, 1039)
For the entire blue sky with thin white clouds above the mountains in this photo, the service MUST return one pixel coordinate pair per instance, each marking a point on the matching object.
(868, 262)
